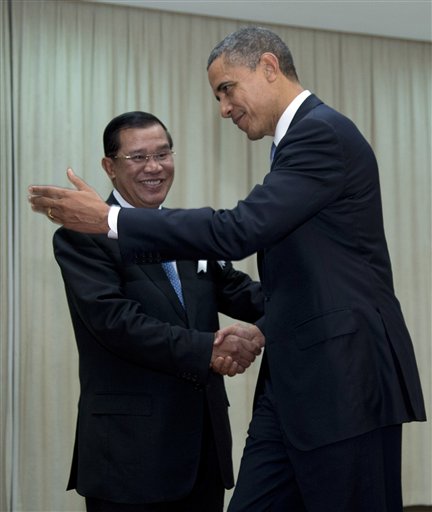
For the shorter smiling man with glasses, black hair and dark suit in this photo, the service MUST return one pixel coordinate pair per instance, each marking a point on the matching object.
(153, 431)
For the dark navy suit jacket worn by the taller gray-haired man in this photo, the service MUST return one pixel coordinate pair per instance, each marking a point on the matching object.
(338, 351)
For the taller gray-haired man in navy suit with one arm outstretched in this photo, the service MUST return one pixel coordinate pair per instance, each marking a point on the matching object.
(339, 375)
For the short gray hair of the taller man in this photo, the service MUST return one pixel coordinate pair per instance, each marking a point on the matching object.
(246, 45)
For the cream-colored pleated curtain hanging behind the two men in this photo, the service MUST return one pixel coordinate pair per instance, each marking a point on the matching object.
(67, 68)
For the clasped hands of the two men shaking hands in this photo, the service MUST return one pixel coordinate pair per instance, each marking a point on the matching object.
(235, 349)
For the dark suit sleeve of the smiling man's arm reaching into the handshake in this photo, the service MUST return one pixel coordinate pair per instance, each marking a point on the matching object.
(94, 278)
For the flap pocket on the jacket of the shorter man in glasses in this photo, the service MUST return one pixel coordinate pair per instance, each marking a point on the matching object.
(122, 404)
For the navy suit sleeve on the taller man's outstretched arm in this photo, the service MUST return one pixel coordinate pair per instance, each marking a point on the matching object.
(306, 176)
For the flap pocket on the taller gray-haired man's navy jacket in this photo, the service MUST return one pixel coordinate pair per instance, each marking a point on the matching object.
(330, 325)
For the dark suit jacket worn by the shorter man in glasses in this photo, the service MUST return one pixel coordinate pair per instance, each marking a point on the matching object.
(144, 368)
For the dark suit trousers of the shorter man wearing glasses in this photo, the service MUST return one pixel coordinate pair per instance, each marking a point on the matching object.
(206, 495)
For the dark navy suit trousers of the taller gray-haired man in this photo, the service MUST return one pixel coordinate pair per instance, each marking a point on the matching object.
(362, 474)
